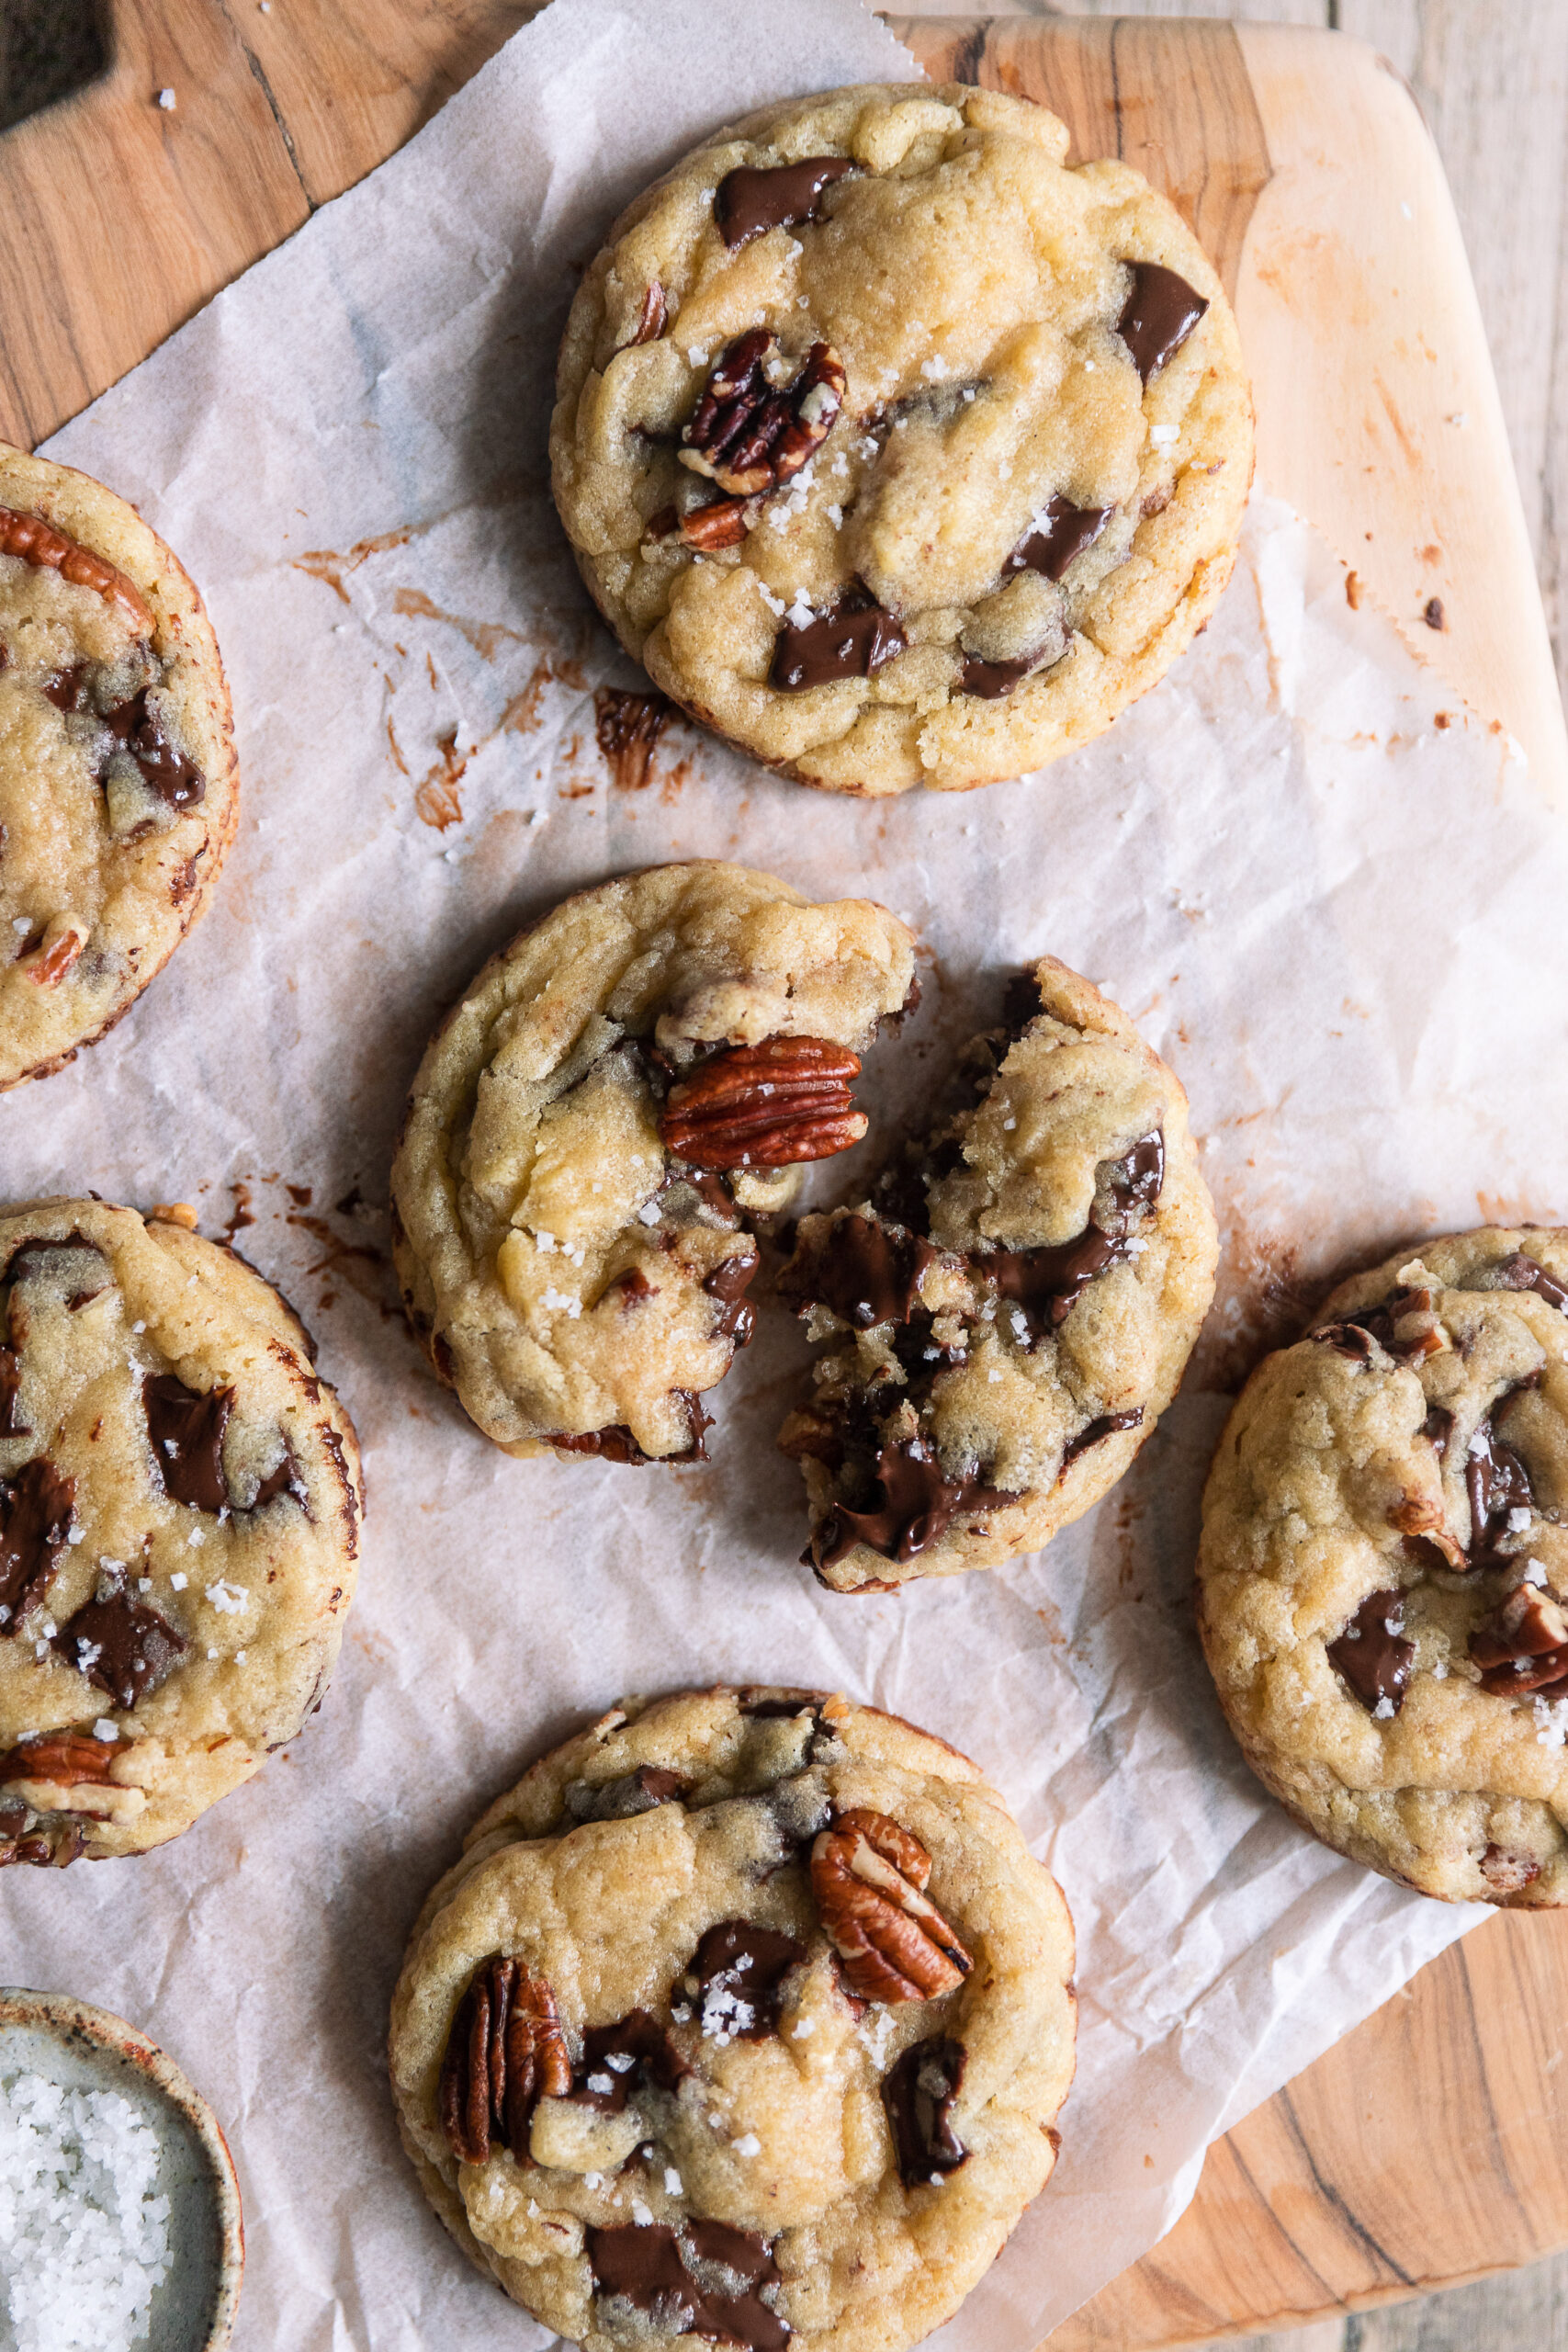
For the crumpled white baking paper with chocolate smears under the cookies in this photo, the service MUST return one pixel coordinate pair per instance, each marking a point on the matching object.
(1325, 890)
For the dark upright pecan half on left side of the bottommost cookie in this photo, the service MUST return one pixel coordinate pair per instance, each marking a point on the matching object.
(507, 2052)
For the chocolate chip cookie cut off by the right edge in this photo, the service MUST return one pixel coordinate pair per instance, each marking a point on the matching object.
(1383, 1577)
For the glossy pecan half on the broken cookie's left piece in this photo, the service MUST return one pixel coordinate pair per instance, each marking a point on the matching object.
(765, 1107)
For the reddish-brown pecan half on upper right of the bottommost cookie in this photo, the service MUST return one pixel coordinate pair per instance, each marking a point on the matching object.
(869, 1878)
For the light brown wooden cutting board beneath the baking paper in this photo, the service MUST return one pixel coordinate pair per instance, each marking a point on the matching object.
(1433, 2144)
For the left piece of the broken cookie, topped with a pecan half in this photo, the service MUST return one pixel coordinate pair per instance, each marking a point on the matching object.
(596, 1128)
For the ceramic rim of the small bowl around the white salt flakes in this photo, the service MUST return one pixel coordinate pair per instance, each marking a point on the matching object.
(88, 2050)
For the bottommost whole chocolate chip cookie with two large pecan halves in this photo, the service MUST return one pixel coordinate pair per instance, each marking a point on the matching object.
(744, 2017)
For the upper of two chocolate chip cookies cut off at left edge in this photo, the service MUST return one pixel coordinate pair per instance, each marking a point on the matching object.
(119, 789)
